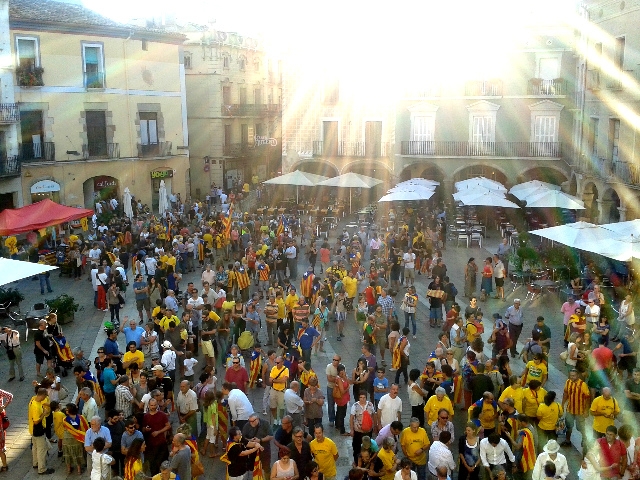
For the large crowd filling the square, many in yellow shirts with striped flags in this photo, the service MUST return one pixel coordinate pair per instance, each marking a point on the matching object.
(179, 389)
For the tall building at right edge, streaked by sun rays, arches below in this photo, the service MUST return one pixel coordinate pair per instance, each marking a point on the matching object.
(606, 165)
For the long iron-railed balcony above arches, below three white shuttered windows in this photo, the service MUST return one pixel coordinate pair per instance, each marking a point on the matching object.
(481, 149)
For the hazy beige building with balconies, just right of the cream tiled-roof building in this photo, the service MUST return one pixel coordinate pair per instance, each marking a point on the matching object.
(234, 92)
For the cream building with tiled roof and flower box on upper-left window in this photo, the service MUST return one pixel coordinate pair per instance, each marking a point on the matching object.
(102, 105)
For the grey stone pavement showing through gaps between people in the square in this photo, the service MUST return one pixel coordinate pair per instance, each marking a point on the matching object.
(87, 332)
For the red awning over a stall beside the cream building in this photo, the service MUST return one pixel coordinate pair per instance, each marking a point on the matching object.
(38, 215)
